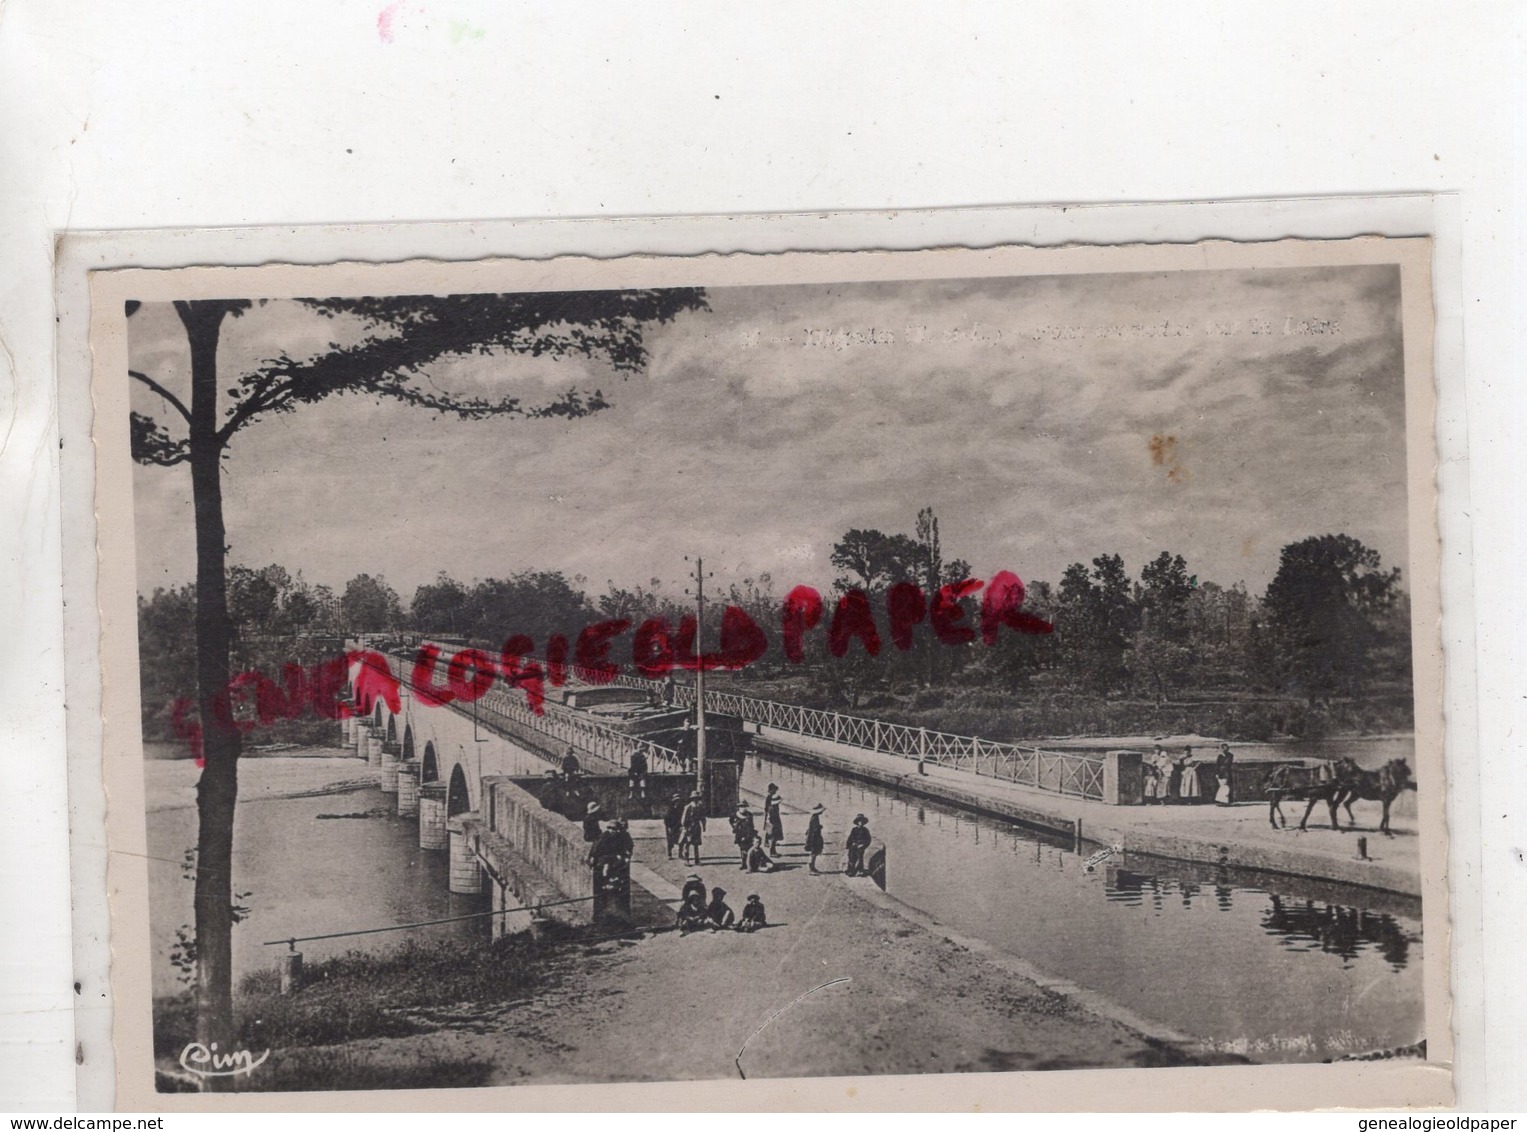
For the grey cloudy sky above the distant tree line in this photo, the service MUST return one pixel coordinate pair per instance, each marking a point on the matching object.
(1047, 419)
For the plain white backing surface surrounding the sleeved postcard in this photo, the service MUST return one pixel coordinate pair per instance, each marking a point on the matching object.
(173, 115)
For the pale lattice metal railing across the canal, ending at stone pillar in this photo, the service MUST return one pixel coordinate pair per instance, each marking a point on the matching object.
(1062, 772)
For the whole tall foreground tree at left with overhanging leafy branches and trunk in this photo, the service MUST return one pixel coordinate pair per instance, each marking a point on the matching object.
(398, 340)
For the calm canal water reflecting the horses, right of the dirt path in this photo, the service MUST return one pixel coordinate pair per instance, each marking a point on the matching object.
(1279, 971)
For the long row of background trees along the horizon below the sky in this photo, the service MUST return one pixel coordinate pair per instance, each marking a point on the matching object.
(1331, 626)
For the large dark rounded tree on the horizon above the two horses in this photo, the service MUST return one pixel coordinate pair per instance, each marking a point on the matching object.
(1323, 615)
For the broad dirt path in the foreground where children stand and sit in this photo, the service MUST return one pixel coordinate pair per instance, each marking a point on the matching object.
(844, 983)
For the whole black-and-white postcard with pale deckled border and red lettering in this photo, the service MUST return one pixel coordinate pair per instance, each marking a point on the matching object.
(775, 668)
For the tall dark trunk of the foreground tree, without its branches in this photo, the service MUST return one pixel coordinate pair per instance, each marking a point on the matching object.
(218, 791)
